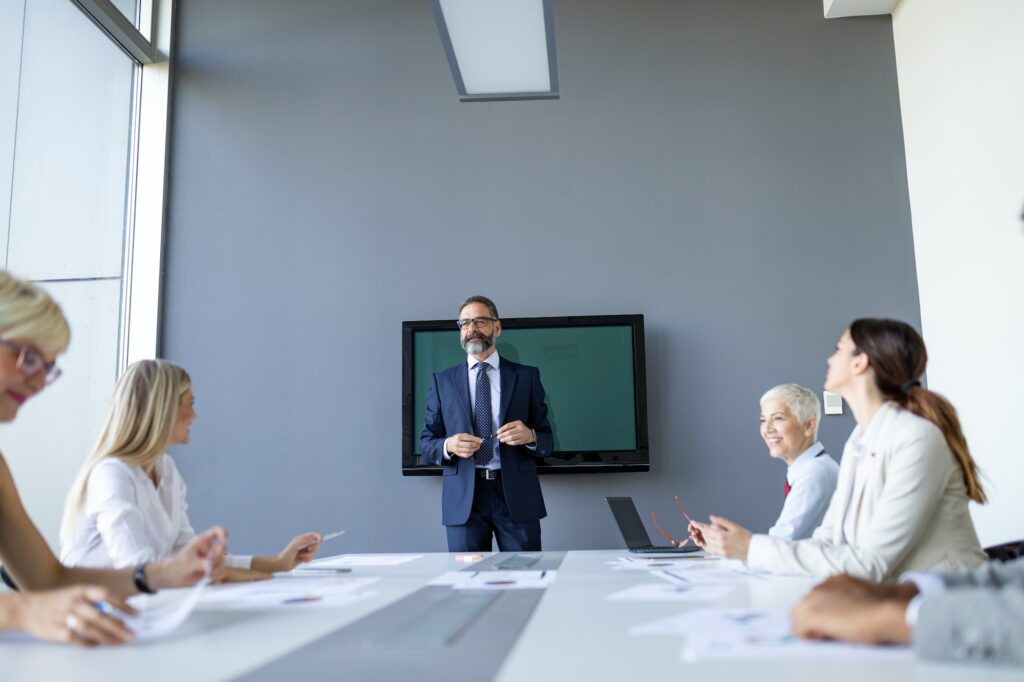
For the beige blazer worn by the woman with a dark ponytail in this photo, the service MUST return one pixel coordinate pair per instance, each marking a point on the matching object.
(912, 514)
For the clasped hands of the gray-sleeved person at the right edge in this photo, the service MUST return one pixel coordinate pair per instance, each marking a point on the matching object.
(845, 616)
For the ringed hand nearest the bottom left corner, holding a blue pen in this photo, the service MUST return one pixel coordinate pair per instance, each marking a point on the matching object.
(71, 615)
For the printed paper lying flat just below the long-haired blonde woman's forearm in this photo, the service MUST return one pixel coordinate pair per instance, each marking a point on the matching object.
(283, 592)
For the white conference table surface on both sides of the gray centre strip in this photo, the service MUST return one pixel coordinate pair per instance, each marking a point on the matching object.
(575, 634)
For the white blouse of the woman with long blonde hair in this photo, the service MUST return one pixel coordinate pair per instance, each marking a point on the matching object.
(126, 521)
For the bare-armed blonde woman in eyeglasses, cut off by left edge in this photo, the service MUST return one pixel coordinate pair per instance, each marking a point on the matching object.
(57, 603)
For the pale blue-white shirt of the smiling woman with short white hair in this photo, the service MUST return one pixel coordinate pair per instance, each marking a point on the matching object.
(813, 482)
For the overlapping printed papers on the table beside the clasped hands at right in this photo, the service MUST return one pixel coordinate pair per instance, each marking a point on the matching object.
(714, 633)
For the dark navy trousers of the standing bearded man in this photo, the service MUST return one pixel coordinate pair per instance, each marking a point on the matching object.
(490, 516)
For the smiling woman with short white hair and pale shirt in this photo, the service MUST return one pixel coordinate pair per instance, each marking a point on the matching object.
(790, 418)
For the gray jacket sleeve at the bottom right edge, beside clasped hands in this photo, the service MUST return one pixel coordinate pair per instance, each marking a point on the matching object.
(982, 625)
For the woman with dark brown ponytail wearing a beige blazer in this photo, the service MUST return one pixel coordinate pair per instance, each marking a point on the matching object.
(905, 482)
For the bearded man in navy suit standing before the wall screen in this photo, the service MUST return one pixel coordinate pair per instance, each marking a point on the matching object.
(487, 425)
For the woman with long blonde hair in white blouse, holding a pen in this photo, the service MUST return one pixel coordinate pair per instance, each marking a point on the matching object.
(129, 503)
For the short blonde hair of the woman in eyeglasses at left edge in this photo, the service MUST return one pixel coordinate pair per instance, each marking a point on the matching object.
(28, 314)
